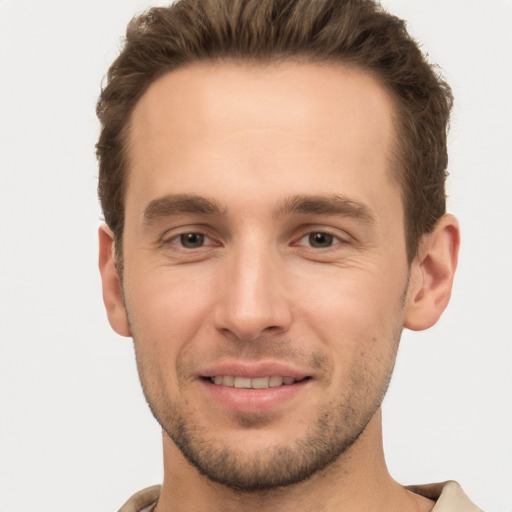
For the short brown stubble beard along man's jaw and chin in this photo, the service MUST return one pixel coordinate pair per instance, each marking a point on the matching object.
(335, 429)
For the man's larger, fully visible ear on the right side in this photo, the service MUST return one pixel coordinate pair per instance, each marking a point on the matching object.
(432, 274)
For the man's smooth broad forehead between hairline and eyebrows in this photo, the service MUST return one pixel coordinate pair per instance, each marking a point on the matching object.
(287, 126)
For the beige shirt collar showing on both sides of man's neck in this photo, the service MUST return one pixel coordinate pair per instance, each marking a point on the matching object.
(449, 497)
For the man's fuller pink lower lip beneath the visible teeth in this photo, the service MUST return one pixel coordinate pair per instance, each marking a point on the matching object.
(253, 401)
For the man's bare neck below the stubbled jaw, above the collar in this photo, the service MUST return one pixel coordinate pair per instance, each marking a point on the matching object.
(357, 481)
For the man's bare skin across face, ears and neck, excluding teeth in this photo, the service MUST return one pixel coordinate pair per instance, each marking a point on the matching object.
(264, 234)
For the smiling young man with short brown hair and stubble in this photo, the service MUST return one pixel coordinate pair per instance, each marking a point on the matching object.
(272, 178)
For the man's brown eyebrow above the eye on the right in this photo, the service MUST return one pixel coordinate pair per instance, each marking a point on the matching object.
(325, 205)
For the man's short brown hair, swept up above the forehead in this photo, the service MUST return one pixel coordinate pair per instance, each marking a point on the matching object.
(358, 33)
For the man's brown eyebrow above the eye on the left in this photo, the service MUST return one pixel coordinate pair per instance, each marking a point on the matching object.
(175, 204)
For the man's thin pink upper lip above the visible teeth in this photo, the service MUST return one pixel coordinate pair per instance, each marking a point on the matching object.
(253, 370)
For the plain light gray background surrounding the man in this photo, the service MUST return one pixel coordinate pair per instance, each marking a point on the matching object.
(75, 432)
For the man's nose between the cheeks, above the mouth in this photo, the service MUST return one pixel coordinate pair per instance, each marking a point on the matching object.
(252, 296)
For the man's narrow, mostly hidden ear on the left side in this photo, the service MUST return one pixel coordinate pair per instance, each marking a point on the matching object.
(112, 293)
